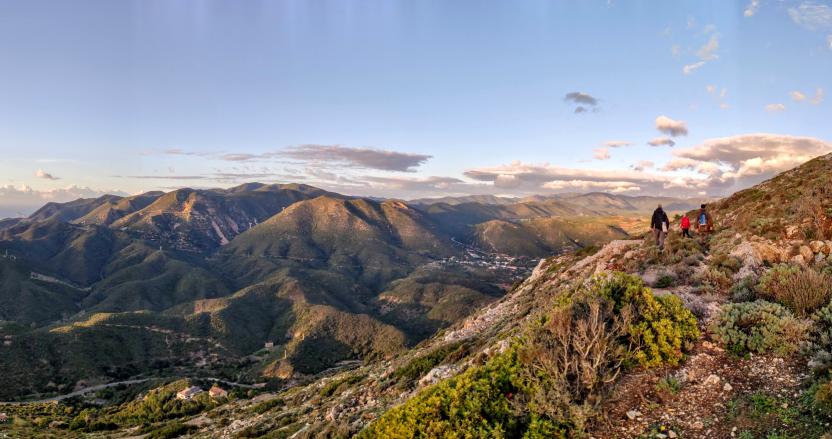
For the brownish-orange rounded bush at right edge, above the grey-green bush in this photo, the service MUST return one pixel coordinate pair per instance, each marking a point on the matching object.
(801, 289)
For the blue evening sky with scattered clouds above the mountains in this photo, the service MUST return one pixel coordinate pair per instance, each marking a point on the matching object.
(409, 99)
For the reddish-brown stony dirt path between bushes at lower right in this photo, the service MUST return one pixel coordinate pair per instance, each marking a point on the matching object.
(713, 394)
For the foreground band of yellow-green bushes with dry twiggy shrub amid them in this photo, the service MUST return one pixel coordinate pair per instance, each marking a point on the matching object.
(550, 381)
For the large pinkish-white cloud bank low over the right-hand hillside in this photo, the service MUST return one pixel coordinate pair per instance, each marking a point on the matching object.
(719, 166)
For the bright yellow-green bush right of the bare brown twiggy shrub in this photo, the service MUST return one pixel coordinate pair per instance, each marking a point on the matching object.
(660, 326)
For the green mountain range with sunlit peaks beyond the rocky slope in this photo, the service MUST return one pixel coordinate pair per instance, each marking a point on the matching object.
(201, 279)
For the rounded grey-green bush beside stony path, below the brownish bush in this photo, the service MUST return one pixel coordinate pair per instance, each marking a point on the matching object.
(759, 327)
